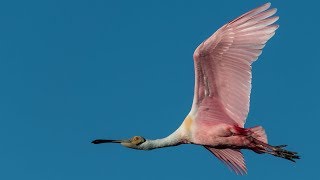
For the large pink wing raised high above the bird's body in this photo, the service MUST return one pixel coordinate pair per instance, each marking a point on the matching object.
(223, 65)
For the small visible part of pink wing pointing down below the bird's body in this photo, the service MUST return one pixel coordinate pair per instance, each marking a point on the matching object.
(233, 158)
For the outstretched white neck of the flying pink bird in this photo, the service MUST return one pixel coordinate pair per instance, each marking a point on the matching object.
(173, 139)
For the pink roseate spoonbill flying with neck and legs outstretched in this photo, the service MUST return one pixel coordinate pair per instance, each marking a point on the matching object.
(222, 65)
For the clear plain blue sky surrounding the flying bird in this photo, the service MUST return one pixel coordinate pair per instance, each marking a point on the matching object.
(73, 71)
